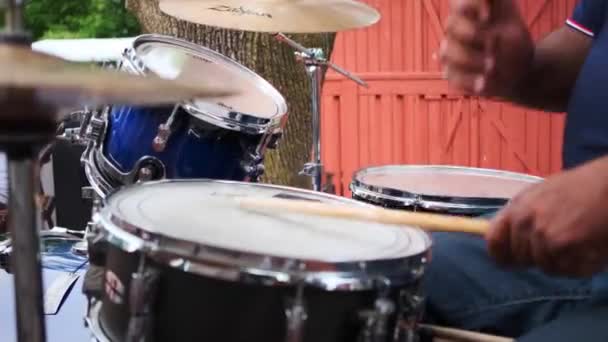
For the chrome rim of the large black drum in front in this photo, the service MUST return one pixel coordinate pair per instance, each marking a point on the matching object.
(230, 265)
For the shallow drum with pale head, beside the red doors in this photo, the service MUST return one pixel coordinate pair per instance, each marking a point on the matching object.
(443, 189)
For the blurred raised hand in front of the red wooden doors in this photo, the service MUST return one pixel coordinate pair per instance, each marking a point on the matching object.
(487, 49)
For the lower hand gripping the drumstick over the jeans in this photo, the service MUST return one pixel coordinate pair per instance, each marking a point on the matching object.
(560, 225)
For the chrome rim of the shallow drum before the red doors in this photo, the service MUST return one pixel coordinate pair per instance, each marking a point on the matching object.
(382, 195)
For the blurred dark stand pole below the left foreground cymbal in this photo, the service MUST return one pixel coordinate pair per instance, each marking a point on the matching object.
(23, 221)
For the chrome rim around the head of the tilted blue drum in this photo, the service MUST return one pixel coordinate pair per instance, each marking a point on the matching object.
(236, 121)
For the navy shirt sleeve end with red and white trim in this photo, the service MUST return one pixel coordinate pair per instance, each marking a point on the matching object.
(588, 17)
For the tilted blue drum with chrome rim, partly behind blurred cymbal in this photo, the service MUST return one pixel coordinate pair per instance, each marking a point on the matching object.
(215, 139)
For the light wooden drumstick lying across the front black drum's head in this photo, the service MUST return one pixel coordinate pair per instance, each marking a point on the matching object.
(429, 222)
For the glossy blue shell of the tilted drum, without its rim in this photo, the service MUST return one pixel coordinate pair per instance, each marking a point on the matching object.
(195, 149)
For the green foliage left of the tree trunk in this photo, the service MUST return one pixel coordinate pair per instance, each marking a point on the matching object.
(79, 19)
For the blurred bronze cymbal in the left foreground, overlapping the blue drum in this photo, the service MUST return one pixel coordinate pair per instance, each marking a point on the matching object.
(65, 84)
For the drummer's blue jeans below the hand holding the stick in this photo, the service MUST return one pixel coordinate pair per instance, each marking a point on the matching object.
(466, 289)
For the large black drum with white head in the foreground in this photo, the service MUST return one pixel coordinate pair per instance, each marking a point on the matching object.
(196, 267)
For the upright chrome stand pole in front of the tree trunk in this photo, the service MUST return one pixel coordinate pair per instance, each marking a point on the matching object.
(315, 73)
